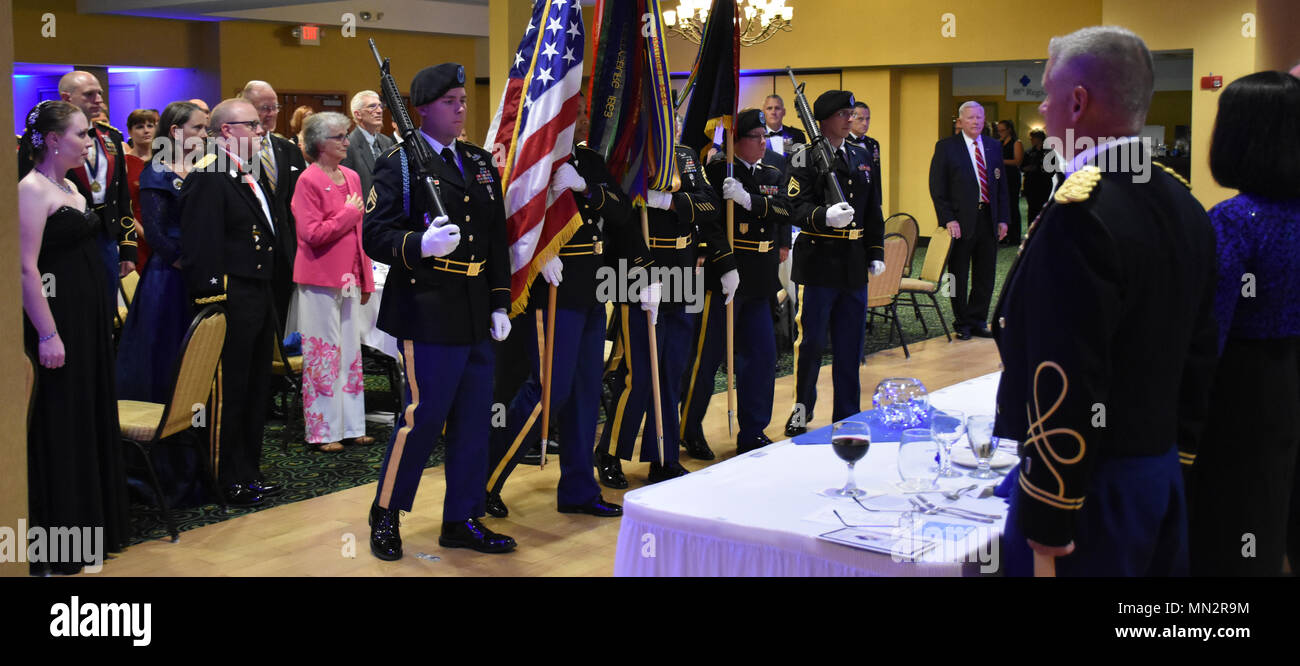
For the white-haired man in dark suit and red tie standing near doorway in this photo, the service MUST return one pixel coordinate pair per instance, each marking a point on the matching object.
(969, 189)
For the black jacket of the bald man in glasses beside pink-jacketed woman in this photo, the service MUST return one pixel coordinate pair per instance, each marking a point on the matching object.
(224, 231)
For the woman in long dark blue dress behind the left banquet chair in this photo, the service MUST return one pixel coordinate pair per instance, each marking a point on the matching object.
(161, 314)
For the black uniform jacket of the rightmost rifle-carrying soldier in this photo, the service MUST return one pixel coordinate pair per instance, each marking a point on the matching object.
(827, 257)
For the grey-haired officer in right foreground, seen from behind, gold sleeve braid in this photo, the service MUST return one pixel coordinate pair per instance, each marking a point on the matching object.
(1107, 334)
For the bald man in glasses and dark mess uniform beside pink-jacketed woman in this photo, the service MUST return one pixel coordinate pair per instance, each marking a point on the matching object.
(228, 232)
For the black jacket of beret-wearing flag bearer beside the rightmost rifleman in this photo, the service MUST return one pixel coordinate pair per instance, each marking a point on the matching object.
(761, 232)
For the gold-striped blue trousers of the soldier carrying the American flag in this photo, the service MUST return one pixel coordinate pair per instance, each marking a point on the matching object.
(575, 403)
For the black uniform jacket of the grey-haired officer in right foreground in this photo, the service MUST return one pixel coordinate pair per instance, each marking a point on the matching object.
(1107, 335)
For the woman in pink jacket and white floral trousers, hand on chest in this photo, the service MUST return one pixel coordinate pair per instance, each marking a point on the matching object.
(335, 280)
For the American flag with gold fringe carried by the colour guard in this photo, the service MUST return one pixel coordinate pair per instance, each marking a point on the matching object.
(532, 136)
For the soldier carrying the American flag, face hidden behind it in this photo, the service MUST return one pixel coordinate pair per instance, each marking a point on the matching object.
(608, 233)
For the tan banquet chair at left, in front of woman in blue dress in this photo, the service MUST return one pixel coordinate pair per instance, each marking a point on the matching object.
(148, 425)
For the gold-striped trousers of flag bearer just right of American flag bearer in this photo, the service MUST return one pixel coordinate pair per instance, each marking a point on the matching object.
(632, 405)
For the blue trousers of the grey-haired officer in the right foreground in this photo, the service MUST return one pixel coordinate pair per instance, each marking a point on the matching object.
(1133, 524)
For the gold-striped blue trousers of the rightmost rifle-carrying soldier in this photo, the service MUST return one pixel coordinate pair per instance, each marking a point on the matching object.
(840, 314)
